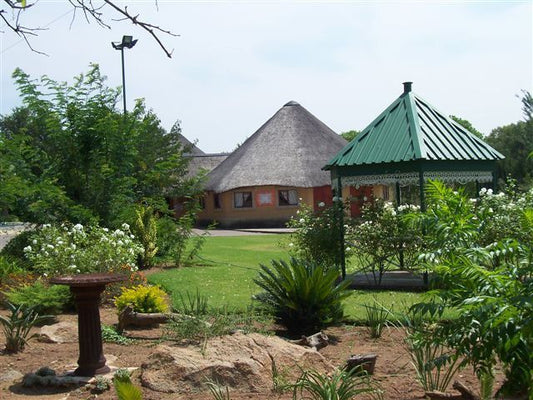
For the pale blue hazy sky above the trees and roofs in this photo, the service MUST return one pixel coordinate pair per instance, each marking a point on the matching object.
(235, 63)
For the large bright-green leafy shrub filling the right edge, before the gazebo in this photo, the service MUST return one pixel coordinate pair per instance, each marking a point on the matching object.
(490, 286)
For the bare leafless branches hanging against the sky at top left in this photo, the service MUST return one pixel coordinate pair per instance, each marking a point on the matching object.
(91, 10)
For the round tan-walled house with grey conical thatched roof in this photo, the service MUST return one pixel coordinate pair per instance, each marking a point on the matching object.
(263, 181)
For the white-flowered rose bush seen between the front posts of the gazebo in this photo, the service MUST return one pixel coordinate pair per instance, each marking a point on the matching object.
(382, 239)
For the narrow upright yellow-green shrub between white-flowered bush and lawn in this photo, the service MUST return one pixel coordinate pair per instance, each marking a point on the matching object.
(145, 230)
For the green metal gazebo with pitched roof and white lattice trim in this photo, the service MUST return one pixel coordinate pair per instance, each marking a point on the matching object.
(409, 143)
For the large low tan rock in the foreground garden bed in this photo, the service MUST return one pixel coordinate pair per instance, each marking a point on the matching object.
(243, 362)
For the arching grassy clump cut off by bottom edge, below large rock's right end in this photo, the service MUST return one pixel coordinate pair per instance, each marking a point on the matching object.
(341, 385)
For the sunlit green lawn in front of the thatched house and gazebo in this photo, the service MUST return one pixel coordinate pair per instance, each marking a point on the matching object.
(227, 266)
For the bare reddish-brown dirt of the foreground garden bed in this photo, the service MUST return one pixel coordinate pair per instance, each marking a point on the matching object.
(393, 373)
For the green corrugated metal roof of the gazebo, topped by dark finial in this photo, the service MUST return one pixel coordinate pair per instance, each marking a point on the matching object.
(412, 129)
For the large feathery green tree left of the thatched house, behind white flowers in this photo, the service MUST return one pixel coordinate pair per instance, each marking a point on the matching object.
(69, 149)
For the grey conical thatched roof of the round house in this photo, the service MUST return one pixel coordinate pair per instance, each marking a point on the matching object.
(288, 150)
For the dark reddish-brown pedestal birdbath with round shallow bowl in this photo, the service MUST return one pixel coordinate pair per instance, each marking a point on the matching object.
(86, 289)
